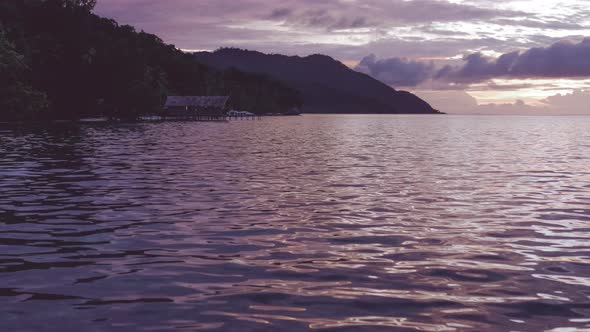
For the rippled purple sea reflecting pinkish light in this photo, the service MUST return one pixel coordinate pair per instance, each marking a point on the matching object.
(336, 223)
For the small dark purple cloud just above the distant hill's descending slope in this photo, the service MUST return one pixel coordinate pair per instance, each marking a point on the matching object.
(395, 71)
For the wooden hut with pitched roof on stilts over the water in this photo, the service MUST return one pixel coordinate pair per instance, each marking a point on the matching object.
(196, 107)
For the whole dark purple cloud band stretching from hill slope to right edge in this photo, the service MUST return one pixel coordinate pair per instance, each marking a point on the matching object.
(560, 60)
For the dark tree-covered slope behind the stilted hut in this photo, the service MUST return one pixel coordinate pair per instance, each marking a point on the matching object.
(60, 61)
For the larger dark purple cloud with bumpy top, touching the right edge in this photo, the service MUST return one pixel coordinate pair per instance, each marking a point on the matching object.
(560, 60)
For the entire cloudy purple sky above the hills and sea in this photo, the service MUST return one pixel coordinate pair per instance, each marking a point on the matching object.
(463, 56)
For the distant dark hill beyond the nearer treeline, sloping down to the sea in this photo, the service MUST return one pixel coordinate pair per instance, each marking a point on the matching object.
(327, 85)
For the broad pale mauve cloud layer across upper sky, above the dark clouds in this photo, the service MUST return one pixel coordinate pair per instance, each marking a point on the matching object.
(338, 28)
